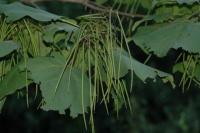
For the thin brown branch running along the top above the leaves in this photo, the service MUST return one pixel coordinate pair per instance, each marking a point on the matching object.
(92, 6)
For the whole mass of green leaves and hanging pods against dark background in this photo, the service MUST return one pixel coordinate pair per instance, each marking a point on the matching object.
(79, 63)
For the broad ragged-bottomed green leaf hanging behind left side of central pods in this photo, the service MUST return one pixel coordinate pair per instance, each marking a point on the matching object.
(69, 93)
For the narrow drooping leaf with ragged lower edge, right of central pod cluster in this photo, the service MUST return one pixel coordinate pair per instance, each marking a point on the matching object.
(123, 63)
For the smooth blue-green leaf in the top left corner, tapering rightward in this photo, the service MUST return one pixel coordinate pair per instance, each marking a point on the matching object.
(16, 11)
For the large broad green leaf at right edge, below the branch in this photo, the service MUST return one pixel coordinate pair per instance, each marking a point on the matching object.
(161, 38)
